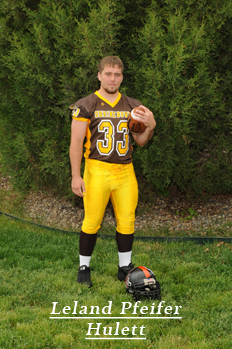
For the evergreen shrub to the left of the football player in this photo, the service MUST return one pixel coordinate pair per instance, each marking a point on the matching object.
(49, 61)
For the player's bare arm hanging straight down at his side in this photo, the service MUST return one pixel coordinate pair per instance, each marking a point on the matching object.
(78, 131)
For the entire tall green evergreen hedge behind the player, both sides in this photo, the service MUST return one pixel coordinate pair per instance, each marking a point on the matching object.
(177, 57)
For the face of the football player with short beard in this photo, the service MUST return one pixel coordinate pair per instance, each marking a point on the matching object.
(111, 78)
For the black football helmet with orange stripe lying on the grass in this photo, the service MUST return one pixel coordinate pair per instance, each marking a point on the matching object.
(141, 281)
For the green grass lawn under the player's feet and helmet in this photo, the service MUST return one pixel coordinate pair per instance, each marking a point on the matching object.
(38, 267)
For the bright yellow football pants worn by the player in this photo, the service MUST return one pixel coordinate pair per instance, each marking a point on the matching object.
(104, 181)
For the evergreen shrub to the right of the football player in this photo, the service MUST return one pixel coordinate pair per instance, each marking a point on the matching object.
(184, 74)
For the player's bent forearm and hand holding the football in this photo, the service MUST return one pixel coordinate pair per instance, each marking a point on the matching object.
(148, 119)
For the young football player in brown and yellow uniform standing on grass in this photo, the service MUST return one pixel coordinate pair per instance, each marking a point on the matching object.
(109, 174)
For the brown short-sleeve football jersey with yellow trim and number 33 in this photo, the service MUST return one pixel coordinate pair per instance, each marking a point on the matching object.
(107, 132)
